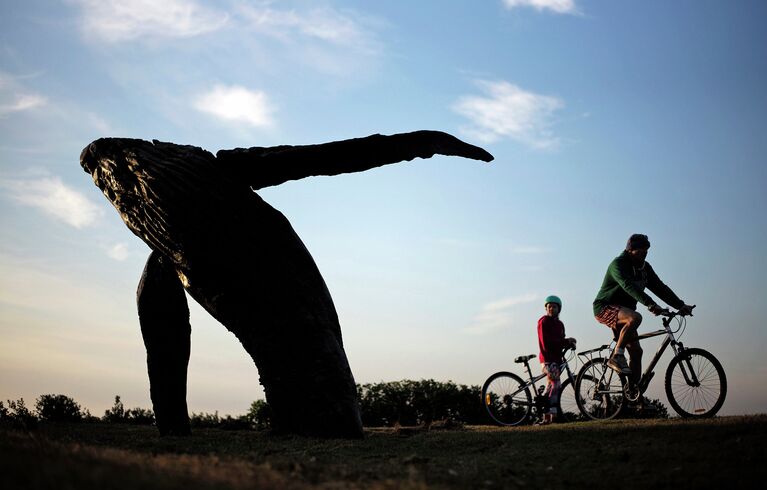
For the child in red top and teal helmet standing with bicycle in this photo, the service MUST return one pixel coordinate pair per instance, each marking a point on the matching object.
(552, 343)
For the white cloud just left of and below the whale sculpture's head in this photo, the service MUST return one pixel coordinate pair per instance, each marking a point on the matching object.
(54, 198)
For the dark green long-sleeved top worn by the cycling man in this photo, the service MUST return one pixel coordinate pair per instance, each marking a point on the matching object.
(624, 285)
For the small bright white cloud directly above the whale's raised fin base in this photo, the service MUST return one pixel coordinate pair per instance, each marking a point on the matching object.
(237, 104)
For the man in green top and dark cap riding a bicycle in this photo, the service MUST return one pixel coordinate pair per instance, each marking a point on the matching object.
(615, 305)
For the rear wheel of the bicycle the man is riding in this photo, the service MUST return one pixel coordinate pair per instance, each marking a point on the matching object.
(599, 390)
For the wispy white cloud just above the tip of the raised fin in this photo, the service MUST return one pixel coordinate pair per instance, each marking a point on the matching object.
(507, 111)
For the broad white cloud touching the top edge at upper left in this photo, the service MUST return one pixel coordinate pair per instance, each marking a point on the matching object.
(127, 20)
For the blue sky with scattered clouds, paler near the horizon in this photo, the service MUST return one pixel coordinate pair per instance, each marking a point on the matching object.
(605, 119)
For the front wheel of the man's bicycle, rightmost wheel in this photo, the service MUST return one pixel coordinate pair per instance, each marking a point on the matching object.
(702, 400)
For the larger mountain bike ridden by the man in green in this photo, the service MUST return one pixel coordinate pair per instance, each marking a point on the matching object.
(696, 385)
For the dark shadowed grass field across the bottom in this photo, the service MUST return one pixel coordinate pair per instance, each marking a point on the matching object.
(724, 452)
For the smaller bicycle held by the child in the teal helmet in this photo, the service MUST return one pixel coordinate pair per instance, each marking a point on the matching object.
(510, 400)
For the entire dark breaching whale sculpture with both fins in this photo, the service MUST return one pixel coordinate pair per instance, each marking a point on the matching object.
(213, 236)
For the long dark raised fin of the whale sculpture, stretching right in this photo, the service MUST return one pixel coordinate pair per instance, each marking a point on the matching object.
(263, 167)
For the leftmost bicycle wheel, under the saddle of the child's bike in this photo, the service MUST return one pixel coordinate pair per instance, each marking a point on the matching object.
(507, 399)
